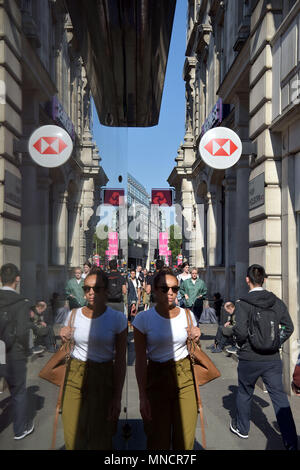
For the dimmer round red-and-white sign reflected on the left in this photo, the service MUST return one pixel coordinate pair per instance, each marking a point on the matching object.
(50, 146)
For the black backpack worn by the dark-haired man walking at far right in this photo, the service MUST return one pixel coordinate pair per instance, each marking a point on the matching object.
(263, 330)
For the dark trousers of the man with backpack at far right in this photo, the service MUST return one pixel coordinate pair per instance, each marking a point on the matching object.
(271, 374)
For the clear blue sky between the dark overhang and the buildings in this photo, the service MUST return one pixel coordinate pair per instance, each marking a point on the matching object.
(149, 153)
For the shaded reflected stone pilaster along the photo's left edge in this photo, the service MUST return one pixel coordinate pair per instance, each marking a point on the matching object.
(10, 132)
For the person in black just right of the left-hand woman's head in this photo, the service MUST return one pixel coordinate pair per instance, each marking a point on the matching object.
(116, 287)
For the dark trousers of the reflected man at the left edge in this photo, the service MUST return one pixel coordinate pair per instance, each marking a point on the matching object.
(15, 375)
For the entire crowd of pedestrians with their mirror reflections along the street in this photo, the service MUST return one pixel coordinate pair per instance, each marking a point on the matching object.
(104, 305)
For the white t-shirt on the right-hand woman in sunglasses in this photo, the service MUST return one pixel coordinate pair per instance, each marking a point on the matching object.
(166, 337)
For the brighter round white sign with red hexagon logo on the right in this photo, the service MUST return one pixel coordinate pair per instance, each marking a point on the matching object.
(220, 148)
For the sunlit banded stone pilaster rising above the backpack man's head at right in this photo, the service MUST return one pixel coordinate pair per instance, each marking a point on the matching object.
(265, 237)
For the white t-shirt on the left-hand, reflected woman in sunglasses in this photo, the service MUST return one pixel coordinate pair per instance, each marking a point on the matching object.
(95, 338)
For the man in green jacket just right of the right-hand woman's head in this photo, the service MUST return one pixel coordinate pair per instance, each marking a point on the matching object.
(194, 291)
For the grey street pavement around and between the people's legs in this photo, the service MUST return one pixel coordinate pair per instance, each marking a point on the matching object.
(218, 399)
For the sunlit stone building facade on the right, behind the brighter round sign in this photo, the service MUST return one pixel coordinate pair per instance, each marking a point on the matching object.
(242, 72)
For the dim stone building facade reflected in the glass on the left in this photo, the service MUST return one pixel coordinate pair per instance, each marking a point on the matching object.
(47, 215)
